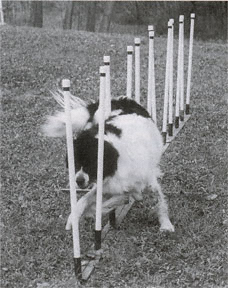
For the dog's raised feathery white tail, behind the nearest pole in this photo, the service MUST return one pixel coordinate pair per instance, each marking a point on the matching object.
(55, 125)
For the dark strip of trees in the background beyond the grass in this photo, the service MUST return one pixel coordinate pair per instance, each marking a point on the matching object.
(118, 16)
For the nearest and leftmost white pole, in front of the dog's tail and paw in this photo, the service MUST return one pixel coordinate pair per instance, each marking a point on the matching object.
(73, 193)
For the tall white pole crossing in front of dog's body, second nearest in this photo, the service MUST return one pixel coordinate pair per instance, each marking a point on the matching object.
(100, 159)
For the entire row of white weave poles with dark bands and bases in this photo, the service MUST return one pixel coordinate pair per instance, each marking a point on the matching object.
(105, 109)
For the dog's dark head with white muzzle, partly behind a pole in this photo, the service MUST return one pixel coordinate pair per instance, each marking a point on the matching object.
(85, 153)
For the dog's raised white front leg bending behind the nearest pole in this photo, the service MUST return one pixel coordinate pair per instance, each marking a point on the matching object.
(82, 203)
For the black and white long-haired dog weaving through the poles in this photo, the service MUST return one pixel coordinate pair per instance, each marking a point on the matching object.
(132, 151)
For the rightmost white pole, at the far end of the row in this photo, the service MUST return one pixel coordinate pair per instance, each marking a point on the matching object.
(190, 64)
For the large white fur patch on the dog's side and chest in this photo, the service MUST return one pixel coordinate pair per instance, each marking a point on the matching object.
(140, 149)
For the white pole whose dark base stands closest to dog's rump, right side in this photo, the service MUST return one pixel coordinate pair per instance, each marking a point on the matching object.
(164, 126)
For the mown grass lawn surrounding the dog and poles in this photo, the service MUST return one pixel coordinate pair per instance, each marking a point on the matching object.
(36, 250)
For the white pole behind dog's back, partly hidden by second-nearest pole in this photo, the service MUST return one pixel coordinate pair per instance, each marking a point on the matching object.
(107, 87)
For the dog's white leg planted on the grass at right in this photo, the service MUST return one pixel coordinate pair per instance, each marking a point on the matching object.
(162, 208)
